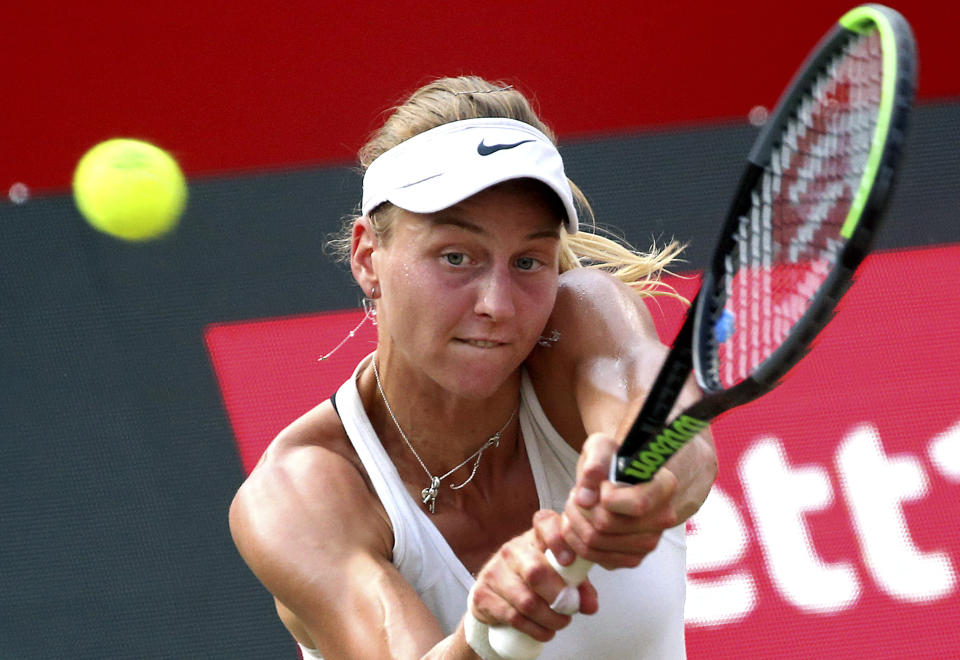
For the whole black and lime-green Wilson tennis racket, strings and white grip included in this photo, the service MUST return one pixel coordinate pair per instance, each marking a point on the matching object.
(805, 214)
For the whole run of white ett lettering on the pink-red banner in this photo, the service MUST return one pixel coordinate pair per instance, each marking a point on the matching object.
(721, 587)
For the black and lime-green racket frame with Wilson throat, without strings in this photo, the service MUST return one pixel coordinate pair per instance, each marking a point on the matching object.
(650, 443)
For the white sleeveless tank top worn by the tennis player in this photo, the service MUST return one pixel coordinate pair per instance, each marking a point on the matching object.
(641, 609)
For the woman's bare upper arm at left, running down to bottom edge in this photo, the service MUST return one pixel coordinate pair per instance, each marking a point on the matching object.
(304, 523)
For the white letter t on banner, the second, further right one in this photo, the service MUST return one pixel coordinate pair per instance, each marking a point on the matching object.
(876, 486)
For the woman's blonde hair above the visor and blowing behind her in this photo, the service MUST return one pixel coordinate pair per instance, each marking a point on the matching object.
(469, 97)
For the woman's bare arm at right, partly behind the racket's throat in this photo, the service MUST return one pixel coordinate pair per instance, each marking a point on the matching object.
(595, 378)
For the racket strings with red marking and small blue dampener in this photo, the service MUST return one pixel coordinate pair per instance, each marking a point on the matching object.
(789, 239)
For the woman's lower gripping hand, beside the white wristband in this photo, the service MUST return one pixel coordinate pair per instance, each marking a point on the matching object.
(517, 586)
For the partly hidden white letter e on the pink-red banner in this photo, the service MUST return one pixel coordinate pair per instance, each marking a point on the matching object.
(717, 541)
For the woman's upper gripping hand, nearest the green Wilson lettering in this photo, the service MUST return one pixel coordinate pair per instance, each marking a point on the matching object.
(612, 525)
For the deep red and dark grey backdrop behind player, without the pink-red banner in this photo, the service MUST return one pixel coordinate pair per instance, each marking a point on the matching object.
(117, 460)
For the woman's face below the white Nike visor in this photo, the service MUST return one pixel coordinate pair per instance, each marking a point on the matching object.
(466, 292)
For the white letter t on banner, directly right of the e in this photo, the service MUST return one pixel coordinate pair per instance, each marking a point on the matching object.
(779, 497)
